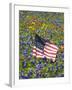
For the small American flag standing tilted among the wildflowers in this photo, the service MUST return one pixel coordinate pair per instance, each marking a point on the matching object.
(43, 48)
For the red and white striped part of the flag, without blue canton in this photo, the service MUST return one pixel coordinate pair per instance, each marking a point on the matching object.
(49, 51)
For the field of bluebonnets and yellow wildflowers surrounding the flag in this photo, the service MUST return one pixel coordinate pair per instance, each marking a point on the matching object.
(47, 25)
